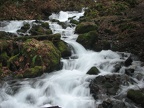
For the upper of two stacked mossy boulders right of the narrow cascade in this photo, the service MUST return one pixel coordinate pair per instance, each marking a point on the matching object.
(85, 27)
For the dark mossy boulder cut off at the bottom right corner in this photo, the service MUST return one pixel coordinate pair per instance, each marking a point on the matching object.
(137, 96)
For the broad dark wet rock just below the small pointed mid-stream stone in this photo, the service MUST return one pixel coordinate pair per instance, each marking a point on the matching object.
(108, 85)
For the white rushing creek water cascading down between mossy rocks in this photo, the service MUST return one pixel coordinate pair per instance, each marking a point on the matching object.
(68, 87)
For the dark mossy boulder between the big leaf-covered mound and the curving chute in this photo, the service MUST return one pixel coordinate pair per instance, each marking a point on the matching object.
(63, 48)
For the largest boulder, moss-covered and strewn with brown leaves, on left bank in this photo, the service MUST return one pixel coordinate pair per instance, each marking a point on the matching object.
(29, 58)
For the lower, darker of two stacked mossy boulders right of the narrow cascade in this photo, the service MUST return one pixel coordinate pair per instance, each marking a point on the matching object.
(88, 39)
